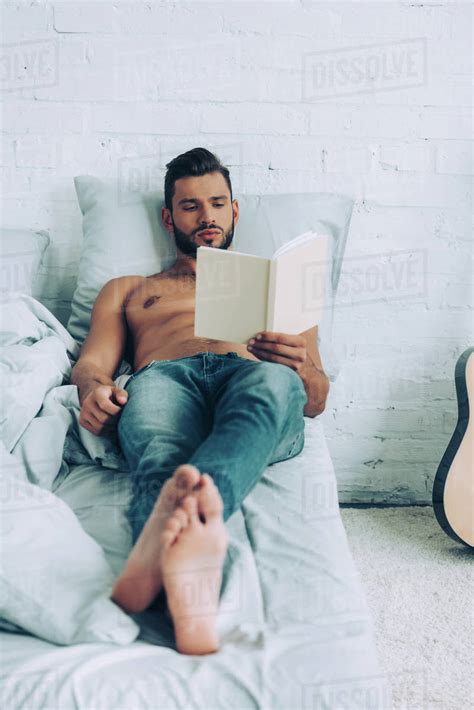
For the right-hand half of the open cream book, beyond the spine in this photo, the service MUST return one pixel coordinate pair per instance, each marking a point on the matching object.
(299, 286)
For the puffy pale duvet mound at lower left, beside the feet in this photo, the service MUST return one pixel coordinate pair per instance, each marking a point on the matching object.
(55, 581)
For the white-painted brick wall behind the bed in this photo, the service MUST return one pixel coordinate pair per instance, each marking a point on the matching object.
(88, 84)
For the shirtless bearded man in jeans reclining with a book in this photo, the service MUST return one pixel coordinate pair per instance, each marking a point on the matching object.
(192, 407)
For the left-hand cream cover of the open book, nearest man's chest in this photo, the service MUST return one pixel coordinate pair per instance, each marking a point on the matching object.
(231, 294)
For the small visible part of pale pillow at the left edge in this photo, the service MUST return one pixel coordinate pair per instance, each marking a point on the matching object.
(21, 252)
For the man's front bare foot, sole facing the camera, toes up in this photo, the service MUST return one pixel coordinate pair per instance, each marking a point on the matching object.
(192, 556)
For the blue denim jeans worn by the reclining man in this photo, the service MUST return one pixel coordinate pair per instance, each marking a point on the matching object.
(229, 416)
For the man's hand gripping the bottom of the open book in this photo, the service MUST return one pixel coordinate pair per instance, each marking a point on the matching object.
(285, 349)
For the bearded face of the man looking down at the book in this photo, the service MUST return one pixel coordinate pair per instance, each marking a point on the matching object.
(201, 204)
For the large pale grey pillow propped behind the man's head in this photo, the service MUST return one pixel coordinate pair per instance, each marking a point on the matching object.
(124, 234)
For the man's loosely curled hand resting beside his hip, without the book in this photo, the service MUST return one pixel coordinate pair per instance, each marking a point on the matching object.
(100, 408)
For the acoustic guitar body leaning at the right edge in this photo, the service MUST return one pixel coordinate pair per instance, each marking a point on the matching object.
(453, 488)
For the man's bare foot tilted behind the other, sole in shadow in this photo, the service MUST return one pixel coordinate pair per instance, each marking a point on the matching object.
(141, 579)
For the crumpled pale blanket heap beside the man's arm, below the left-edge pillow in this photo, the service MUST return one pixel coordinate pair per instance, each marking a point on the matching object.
(39, 409)
